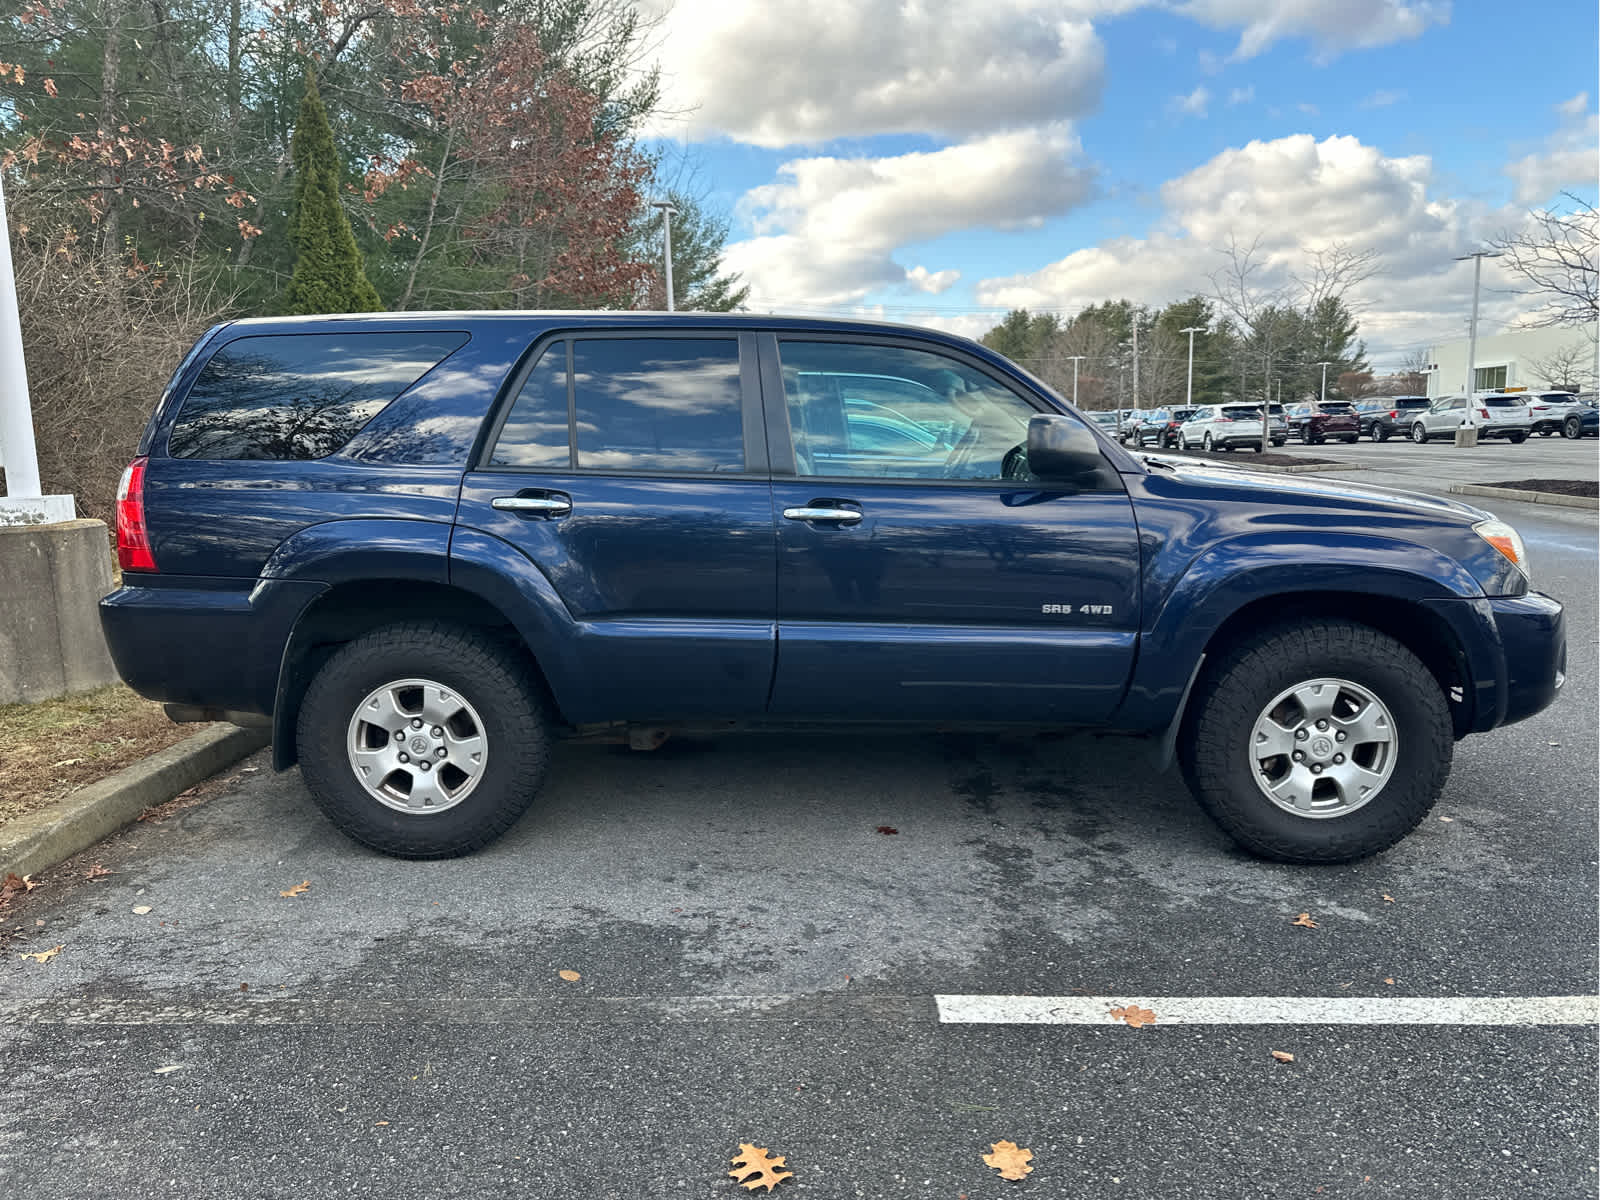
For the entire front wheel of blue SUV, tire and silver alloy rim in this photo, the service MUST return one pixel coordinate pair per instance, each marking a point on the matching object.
(1319, 743)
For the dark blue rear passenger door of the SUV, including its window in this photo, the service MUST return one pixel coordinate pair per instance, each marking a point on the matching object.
(631, 471)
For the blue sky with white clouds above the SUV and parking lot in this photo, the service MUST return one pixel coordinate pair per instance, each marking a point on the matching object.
(940, 162)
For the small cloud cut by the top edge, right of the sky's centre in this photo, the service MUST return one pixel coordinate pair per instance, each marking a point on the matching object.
(1343, 25)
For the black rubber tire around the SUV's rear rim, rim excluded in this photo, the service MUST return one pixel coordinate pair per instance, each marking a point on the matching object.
(489, 676)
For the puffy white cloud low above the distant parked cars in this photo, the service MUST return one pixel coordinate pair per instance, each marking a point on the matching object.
(1298, 196)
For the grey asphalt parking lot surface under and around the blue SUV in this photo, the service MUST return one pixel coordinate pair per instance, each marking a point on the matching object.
(761, 964)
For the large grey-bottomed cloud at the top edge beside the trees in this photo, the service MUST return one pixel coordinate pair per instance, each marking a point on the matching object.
(841, 68)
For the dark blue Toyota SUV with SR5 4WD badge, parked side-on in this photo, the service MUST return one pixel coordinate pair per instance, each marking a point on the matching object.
(423, 548)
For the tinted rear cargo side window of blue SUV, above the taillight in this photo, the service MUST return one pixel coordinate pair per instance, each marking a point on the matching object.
(300, 396)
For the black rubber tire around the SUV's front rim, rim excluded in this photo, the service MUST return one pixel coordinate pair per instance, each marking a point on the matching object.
(1230, 700)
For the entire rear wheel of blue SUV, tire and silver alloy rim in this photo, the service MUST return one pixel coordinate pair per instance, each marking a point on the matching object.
(423, 740)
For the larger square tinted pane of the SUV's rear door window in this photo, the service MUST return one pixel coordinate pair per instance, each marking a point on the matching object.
(658, 404)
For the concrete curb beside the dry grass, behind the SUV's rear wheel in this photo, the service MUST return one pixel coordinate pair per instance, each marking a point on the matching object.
(52, 836)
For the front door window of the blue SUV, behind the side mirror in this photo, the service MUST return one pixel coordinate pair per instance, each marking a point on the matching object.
(886, 412)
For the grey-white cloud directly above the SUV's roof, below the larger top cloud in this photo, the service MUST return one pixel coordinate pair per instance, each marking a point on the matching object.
(828, 231)
